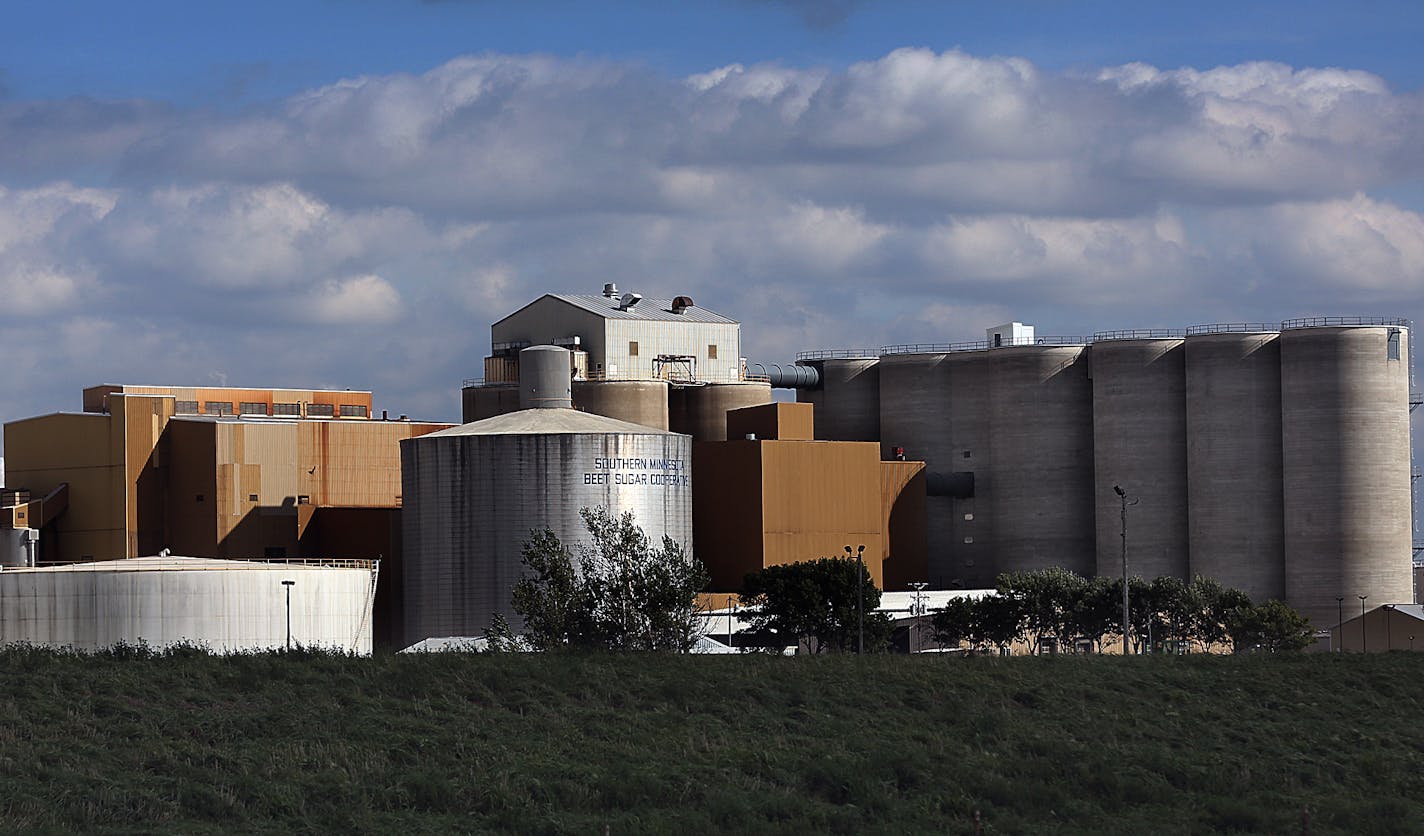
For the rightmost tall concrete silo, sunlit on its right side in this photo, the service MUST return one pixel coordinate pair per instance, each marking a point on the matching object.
(1346, 465)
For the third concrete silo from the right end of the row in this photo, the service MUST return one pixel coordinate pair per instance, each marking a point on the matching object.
(1140, 444)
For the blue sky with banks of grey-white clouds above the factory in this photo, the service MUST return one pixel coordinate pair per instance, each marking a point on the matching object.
(350, 193)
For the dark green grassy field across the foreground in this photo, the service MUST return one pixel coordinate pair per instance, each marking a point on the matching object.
(713, 744)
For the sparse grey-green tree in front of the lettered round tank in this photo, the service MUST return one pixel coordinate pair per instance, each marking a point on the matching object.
(619, 593)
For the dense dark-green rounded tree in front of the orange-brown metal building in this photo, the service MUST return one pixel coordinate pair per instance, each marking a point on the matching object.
(817, 602)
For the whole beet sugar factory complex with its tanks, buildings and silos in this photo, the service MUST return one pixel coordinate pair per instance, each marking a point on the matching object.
(1271, 456)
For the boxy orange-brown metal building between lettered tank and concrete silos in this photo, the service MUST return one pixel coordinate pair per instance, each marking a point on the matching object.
(773, 495)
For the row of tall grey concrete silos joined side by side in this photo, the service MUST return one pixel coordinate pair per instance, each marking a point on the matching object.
(1272, 458)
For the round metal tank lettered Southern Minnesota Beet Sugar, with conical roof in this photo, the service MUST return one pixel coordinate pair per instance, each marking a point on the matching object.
(472, 496)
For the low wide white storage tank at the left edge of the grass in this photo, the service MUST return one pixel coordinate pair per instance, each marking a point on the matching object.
(227, 606)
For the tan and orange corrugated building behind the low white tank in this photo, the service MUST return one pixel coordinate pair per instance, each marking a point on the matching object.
(153, 468)
